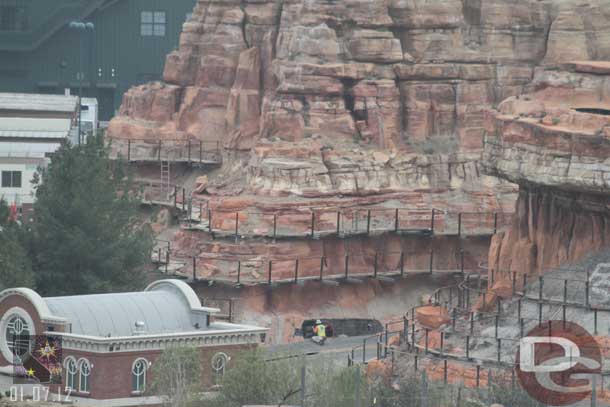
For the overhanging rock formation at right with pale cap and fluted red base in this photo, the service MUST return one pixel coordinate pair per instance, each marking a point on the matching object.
(555, 143)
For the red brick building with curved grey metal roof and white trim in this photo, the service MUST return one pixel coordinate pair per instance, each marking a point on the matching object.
(109, 342)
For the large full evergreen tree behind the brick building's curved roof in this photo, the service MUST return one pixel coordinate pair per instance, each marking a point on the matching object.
(85, 235)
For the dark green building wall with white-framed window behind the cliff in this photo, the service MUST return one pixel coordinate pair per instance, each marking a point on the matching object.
(40, 52)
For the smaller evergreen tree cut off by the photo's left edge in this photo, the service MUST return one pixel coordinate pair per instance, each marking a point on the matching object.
(15, 267)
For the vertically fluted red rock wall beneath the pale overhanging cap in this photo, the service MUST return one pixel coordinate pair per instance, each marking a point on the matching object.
(551, 228)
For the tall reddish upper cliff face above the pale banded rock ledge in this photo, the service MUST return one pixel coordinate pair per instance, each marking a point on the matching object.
(390, 72)
